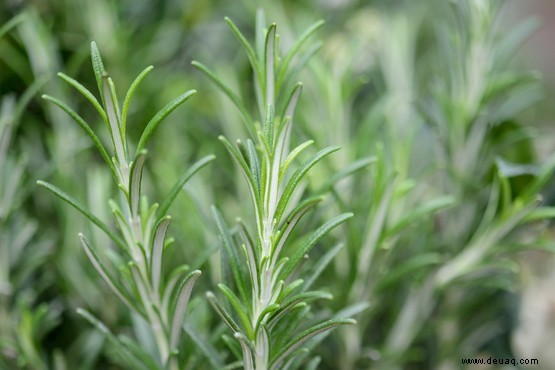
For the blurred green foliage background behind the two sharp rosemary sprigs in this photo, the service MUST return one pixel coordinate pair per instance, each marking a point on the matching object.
(444, 113)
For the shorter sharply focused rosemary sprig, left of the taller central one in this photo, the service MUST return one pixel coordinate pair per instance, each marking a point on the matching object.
(140, 283)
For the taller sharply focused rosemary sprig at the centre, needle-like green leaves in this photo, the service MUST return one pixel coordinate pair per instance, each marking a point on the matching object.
(266, 316)
